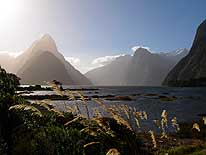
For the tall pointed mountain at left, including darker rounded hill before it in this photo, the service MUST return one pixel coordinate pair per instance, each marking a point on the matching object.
(42, 62)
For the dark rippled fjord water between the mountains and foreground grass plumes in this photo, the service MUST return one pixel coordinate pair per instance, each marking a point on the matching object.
(188, 103)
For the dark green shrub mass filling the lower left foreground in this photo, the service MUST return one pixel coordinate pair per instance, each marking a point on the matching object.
(39, 128)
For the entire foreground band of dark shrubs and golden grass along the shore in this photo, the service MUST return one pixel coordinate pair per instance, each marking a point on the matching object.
(39, 128)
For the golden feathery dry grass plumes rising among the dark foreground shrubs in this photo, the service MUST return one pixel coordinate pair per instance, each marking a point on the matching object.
(123, 114)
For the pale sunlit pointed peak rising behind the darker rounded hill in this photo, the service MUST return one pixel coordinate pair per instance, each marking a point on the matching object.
(47, 44)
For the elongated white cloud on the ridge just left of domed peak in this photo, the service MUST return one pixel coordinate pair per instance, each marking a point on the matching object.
(102, 61)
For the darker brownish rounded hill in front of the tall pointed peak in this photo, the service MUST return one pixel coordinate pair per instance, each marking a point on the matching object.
(52, 69)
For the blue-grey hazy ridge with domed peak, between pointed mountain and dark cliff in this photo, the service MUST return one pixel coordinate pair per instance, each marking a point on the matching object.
(142, 69)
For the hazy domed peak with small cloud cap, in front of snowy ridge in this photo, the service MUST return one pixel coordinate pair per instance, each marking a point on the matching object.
(147, 69)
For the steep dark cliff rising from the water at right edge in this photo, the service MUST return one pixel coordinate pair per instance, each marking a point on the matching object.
(191, 70)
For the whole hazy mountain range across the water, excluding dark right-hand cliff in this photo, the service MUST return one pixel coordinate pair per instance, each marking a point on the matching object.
(42, 61)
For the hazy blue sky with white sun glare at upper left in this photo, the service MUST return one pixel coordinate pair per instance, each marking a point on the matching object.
(87, 29)
